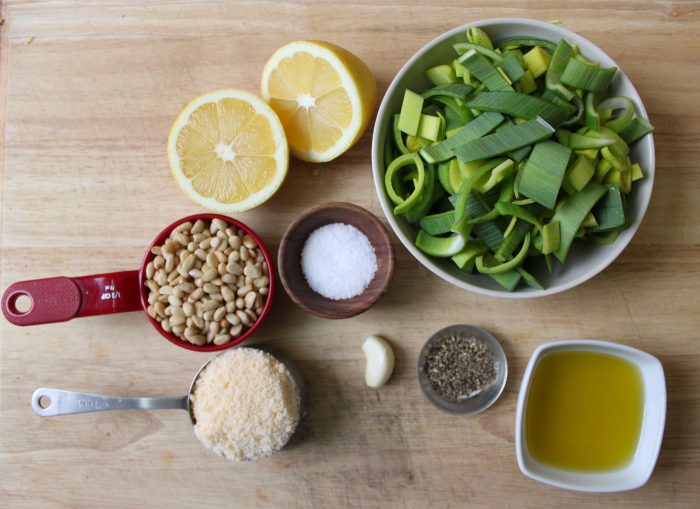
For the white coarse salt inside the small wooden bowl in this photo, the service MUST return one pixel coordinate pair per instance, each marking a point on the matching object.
(338, 261)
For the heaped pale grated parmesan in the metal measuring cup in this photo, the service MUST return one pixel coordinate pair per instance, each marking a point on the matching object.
(246, 405)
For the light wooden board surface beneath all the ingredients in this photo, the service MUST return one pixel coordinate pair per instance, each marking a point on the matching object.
(86, 108)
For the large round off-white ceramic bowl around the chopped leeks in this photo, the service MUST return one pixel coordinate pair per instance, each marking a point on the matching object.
(585, 259)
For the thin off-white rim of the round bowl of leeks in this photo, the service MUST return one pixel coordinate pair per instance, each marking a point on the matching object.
(614, 250)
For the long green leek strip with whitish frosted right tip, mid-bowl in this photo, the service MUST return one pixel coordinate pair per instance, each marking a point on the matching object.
(499, 143)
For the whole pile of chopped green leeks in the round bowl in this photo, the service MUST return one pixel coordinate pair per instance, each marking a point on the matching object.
(499, 171)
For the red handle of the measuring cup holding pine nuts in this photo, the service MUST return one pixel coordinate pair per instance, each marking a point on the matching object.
(58, 299)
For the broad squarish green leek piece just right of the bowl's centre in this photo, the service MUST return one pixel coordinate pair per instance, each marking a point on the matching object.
(542, 177)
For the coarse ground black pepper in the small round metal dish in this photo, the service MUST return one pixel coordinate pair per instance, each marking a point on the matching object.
(458, 366)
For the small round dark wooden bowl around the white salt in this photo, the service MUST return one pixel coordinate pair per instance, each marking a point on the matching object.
(289, 259)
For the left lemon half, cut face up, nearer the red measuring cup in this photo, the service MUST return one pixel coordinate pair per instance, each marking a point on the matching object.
(227, 150)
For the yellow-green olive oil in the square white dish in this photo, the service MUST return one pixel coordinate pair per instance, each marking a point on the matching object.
(584, 411)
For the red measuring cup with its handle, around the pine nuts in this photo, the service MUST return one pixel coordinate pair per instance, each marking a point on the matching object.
(58, 299)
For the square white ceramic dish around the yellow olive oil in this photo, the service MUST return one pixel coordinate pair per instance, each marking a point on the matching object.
(639, 469)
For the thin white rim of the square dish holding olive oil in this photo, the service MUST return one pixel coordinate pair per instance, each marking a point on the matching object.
(586, 344)
